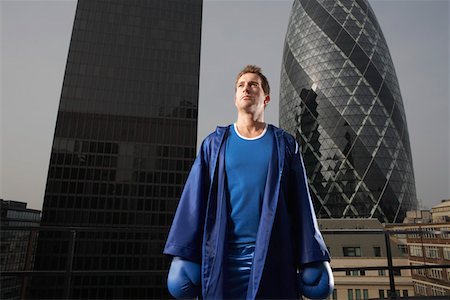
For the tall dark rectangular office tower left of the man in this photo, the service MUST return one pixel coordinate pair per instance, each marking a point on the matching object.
(124, 142)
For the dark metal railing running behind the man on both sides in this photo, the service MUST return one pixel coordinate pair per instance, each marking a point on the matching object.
(73, 238)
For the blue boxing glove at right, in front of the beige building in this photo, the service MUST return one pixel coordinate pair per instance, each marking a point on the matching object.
(316, 280)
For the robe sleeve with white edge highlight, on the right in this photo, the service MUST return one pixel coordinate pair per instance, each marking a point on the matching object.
(309, 244)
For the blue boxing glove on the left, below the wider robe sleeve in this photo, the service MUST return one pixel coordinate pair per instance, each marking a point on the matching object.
(184, 280)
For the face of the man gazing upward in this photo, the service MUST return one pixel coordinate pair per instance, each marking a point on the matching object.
(249, 95)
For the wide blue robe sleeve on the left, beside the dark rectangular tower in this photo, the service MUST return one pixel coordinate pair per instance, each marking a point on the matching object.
(186, 233)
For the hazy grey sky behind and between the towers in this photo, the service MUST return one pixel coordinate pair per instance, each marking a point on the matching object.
(34, 43)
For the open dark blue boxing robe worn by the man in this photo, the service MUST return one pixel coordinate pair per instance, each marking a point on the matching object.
(288, 235)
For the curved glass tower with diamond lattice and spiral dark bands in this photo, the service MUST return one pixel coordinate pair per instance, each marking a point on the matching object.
(340, 98)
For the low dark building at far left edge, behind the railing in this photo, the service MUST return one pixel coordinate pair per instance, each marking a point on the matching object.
(17, 246)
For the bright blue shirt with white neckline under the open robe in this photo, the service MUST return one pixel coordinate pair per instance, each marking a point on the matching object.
(246, 165)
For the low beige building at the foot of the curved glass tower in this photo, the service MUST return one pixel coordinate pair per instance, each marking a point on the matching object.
(350, 249)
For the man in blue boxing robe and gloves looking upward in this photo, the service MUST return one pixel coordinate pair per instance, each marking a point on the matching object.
(245, 226)
